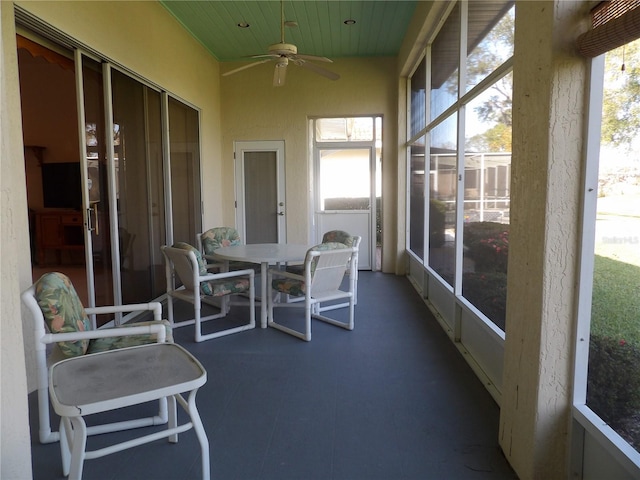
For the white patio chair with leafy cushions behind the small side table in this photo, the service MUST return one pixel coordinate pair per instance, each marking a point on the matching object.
(62, 328)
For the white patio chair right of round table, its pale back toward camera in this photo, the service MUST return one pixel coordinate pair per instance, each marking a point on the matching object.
(325, 266)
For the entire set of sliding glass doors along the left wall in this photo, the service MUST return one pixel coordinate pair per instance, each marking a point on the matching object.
(107, 183)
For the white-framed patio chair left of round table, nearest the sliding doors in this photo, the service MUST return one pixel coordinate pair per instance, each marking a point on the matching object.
(185, 266)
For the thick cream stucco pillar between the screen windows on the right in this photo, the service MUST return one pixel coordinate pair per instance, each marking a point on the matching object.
(548, 125)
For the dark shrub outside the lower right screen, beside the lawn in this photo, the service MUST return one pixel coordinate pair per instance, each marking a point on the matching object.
(613, 384)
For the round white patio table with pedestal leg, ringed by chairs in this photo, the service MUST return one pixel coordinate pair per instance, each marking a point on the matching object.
(265, 254)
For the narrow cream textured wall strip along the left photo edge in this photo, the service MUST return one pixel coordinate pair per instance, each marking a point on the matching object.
(15, 265)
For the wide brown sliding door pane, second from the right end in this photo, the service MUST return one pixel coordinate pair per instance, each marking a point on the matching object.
(138, 189)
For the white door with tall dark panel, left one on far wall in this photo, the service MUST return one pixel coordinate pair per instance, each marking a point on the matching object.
(260, 191)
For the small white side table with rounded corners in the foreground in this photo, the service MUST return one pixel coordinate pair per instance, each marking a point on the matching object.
(109, 380)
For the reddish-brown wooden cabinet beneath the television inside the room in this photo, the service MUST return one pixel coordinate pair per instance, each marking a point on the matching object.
(58, 229)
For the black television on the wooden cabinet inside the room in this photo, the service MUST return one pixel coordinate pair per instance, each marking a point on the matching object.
(61, 185)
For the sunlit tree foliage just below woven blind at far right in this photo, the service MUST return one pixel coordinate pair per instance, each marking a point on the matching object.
(621, 96)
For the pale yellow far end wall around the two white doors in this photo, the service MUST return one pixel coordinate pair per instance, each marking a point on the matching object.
(252, 109)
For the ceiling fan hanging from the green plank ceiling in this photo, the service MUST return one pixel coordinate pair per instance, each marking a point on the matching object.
(283, 53)
